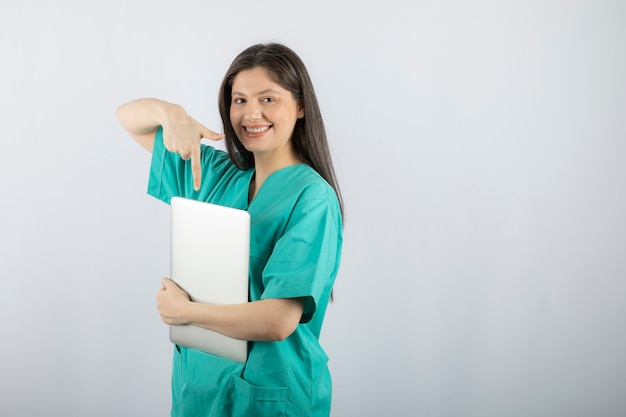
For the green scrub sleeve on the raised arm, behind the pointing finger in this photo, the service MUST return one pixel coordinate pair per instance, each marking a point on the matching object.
(171, 176)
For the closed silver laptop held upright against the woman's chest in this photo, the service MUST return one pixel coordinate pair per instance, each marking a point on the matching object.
(210, 249)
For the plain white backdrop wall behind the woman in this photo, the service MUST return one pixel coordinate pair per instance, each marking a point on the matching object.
(480, 146)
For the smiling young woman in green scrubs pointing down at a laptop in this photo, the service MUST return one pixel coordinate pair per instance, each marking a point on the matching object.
(279, 169)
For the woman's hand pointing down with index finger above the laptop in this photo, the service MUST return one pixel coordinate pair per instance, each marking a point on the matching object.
(182, 134)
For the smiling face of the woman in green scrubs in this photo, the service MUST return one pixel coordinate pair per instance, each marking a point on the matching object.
(263, 115)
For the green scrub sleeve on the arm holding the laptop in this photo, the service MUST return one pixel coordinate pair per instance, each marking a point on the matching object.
(305, 259)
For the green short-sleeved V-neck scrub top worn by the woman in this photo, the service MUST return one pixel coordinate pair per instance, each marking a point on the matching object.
(295, 249)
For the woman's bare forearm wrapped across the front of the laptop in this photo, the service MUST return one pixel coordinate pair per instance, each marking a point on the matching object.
(264, 320)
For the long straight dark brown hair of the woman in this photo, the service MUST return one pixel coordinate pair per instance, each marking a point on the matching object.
(309, 135)
